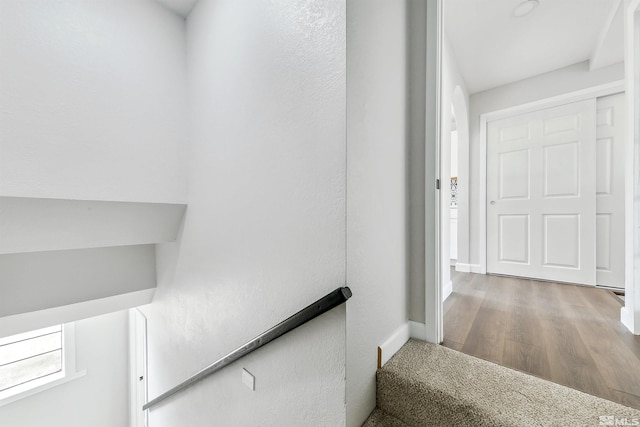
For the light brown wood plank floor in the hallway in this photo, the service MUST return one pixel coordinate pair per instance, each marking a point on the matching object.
(567, 334)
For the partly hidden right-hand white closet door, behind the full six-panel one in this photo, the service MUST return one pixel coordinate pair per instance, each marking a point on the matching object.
(610, 134)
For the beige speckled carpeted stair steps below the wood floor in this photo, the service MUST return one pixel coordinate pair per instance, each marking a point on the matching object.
(430, 385)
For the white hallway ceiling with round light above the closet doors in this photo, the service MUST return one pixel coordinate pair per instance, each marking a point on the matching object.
(493, 47)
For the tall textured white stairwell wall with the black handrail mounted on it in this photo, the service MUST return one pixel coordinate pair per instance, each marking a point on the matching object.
(264, 234)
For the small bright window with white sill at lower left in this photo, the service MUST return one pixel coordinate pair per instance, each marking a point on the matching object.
(35, 361)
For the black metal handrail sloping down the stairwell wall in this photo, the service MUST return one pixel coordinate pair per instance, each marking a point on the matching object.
(324, 304)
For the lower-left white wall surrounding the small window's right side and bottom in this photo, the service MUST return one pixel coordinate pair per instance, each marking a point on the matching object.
(98, 399)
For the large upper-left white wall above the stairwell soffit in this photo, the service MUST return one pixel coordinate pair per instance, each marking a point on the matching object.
(92, 100)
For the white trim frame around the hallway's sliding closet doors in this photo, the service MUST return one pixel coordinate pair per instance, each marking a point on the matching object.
(580, 95)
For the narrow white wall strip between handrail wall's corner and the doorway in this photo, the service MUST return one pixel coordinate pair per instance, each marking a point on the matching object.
(376, 189)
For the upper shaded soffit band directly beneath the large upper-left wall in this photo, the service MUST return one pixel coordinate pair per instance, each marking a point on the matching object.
(35, 224)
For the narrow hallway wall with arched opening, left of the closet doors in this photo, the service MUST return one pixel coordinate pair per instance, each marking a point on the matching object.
(452, 80)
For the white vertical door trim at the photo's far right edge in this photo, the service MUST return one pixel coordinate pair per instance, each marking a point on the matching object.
(630, 313)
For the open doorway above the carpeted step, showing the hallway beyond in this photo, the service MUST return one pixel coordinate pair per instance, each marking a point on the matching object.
(526, 113)
